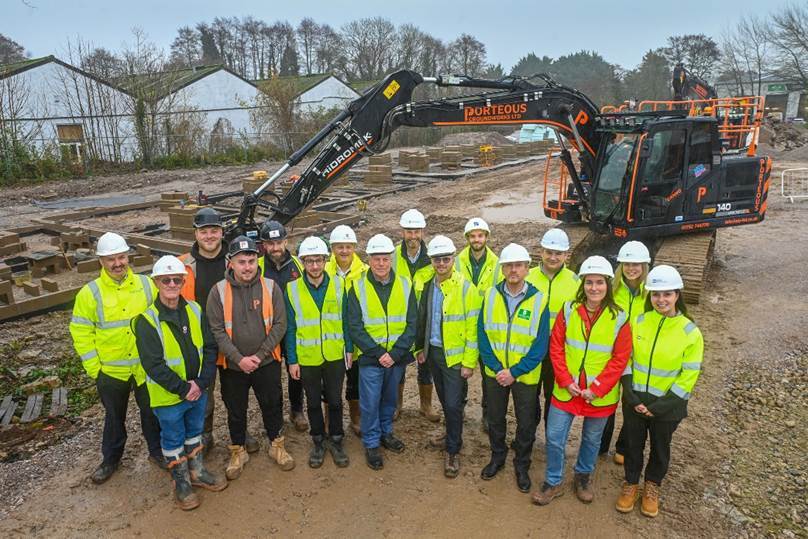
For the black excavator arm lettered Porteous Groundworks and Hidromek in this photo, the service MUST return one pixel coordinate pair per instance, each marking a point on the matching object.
(366, 124)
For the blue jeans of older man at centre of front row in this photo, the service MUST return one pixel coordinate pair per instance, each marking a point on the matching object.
(378, 393)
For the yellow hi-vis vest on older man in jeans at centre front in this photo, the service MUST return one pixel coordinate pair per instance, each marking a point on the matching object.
(384, 327)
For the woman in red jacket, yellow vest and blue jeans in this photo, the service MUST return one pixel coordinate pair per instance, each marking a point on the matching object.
(589, 347)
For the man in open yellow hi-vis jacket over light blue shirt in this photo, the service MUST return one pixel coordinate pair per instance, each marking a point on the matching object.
(447, 339)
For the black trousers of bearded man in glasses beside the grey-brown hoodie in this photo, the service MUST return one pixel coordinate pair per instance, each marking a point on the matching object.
(326, 378)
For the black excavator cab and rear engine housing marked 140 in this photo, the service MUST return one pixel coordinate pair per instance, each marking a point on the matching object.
(665, 174)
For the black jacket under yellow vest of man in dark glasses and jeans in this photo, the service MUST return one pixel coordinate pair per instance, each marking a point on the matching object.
(152, 356)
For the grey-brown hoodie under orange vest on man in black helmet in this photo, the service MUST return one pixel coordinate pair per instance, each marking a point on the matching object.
(249, 333)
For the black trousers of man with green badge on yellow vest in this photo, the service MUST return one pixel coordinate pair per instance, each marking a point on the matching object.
(524, 406)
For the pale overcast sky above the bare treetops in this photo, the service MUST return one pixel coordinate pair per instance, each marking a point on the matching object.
(621, 31)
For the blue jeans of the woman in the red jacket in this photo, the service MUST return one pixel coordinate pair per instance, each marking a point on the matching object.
(558, 430)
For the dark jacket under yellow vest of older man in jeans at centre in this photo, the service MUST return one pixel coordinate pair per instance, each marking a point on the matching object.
(371, 352)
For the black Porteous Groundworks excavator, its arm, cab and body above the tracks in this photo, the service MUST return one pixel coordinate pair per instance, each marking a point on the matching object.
(639, 174)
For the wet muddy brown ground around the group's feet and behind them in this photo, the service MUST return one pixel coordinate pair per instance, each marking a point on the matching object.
(738, 466)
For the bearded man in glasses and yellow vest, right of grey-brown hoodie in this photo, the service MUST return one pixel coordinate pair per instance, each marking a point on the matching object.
(315, 347)
